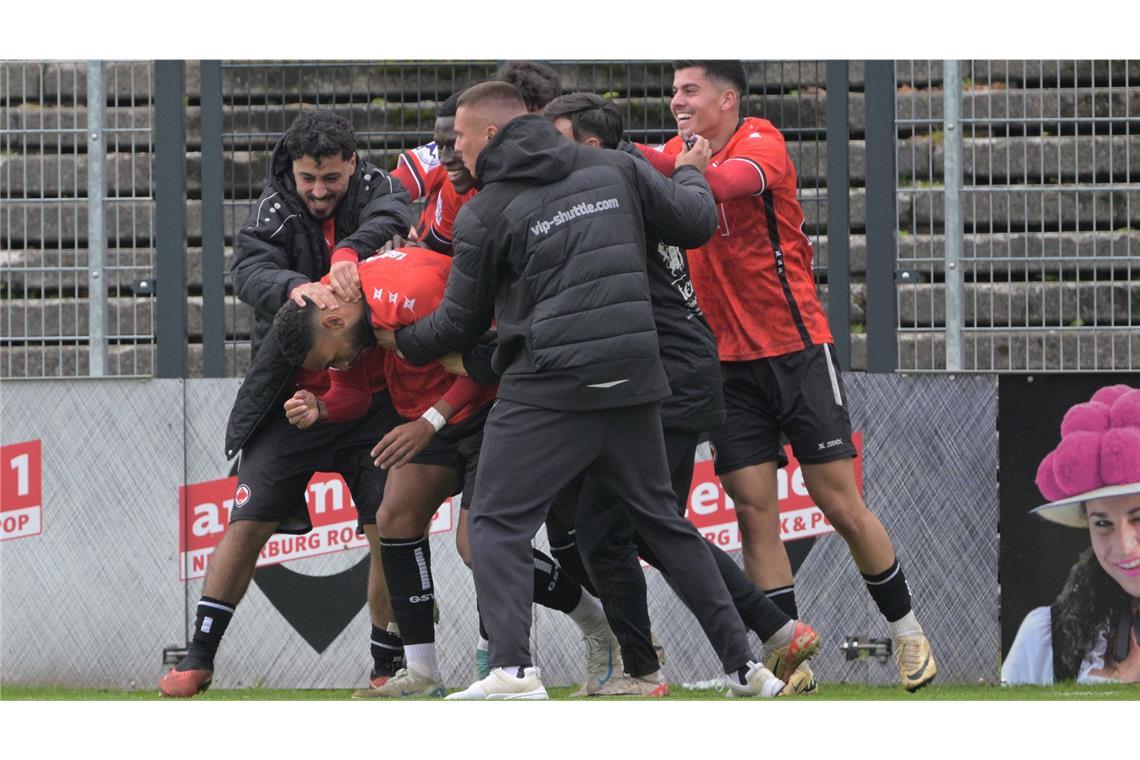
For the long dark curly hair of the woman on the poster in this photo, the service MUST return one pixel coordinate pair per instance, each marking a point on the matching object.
(1087, 606)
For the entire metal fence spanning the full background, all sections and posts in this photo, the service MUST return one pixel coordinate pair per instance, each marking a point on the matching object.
(1008, 199)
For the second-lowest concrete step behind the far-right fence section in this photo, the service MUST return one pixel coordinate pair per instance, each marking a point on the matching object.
(1051, 305)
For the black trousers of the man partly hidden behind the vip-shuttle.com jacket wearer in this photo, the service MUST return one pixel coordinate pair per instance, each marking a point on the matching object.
(610, 545)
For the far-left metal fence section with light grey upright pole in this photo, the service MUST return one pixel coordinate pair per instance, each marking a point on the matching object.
(78, 219)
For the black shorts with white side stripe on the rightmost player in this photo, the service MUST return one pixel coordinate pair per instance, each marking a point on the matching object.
(797, 395)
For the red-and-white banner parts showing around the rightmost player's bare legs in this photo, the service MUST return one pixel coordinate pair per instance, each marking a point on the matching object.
(711, 509)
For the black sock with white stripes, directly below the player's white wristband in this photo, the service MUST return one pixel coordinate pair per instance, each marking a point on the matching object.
(408, 570)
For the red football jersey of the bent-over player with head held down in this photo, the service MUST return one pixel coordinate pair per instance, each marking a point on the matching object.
(402, 287)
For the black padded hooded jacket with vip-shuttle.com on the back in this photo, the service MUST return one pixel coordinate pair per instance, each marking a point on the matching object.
(553, 247)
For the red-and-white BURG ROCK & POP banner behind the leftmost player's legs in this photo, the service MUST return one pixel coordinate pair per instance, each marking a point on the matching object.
(206, 509)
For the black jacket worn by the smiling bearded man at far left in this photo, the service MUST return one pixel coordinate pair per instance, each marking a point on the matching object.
(281, 246)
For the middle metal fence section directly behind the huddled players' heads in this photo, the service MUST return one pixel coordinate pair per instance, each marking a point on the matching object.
(393, 108)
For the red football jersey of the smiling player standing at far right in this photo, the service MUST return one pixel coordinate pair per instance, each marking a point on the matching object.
(754, 279)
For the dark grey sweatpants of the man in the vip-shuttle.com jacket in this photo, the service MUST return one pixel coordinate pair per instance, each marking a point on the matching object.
(530, 455)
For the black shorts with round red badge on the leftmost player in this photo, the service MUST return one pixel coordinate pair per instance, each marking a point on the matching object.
(279, 462)
